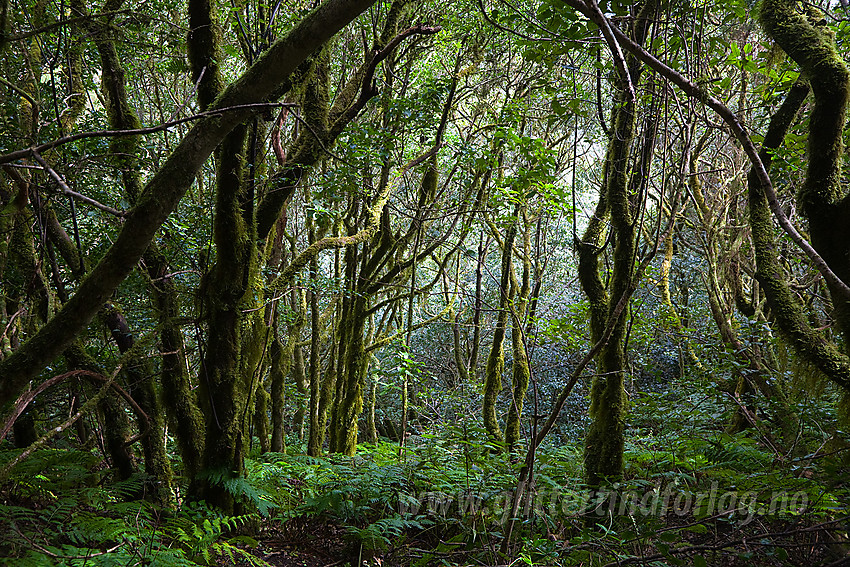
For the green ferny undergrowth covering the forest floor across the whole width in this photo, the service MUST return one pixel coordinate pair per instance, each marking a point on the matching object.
(692, 494)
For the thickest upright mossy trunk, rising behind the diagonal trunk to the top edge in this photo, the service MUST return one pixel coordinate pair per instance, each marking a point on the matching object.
(224, 388)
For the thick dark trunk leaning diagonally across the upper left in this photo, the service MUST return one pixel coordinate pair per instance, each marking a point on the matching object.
(267, 79)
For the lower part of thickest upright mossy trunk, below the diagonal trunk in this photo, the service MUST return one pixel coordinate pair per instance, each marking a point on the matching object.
(234, 345)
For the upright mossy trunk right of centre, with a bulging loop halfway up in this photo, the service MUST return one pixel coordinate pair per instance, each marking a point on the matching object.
(603, 456)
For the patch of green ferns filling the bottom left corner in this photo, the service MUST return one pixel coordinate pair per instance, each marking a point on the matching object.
(65, 515)
